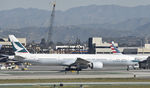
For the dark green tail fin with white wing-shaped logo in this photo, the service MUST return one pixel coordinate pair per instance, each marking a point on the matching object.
(17, 46)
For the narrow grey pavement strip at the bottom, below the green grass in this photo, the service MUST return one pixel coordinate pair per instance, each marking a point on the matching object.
(76, 83)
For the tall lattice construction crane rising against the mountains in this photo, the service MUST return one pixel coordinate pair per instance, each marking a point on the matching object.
(49, 37)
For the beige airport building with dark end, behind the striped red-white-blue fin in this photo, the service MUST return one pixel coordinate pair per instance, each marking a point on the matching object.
(97, 46)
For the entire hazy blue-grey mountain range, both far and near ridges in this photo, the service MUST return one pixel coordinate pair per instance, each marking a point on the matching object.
(81, 22)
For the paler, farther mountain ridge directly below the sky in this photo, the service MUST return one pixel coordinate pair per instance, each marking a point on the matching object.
(19, 17)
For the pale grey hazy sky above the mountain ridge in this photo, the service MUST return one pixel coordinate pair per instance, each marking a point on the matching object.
(66, 4)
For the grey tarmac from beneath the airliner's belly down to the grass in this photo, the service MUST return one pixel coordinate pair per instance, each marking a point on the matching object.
(55, 73)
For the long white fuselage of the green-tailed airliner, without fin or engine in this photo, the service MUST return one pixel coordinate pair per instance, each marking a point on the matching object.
(67, 59)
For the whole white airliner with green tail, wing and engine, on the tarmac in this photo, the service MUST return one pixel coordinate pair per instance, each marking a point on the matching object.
(75, 62)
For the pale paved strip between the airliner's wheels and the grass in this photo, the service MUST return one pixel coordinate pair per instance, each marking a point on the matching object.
(83, 74)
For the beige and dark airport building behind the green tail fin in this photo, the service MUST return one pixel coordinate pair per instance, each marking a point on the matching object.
(7, 47)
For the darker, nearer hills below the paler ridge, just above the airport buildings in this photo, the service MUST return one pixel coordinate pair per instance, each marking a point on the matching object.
(62, 33)
